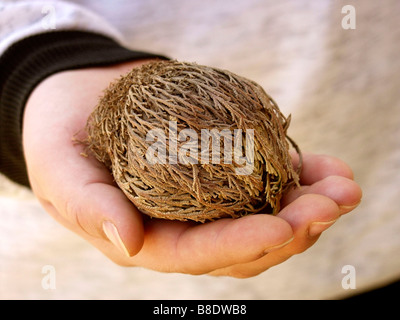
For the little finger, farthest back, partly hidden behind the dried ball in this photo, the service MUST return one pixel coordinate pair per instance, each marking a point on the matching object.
(317, 167)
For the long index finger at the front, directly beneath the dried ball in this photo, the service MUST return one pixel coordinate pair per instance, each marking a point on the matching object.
(199, 249)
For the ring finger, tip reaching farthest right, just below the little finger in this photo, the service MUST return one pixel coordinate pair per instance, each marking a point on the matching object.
(345, 192)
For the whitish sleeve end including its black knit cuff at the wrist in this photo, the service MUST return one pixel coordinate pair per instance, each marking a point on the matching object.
(31, 54)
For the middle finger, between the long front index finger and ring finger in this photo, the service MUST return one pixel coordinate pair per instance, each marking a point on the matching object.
(302, 215)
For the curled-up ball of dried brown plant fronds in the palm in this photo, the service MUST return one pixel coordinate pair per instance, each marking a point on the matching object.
(191, 142)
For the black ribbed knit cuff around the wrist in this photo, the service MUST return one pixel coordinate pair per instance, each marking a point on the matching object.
(29, 61)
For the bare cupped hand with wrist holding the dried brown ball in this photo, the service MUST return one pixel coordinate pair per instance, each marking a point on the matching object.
(80, 194)
